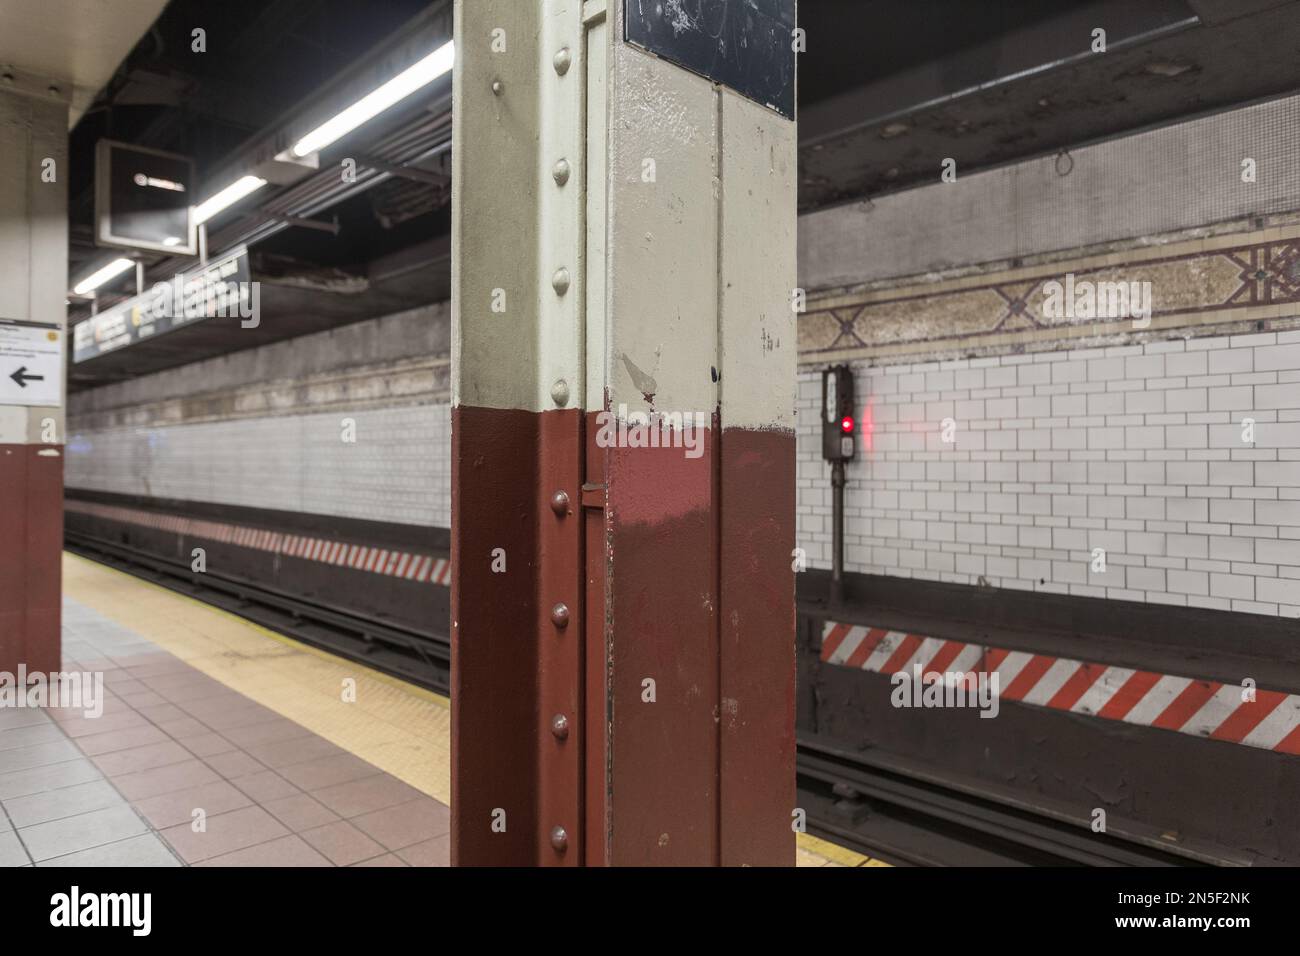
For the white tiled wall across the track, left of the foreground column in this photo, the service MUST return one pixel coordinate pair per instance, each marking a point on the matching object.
(398, 469)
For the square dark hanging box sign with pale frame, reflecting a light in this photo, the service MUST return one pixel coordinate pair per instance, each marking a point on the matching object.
(144, 200)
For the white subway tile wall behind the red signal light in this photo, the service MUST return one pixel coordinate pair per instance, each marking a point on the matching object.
(1141, 452)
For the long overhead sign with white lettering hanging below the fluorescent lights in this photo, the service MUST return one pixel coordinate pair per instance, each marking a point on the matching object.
(223, 288)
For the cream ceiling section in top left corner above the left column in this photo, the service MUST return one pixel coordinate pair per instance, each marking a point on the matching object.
(77, 42)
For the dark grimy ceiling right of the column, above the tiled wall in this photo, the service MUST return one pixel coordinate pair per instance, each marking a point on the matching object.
(1032, 88)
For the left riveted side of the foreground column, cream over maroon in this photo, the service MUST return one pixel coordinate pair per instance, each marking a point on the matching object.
(518, 651)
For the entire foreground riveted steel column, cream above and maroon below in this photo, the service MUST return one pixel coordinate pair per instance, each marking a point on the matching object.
(623, 689)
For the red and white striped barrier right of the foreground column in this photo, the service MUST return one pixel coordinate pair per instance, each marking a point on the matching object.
(1201, 708)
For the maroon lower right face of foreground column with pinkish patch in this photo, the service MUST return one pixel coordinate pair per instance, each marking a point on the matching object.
(697, 646)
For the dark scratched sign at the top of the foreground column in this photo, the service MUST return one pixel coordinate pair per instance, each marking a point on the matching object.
(746, 46)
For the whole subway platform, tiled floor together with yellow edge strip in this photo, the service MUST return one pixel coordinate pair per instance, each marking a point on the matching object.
(224, 745)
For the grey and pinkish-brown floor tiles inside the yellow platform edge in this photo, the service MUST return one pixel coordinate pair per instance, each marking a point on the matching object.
(175, 745)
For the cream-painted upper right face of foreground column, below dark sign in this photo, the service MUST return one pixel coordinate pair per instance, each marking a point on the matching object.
(700, 193)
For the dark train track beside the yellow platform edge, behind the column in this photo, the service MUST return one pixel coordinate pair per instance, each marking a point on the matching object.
(851, 799)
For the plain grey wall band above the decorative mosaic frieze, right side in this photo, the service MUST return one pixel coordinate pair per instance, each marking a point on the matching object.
(1184, 176)
